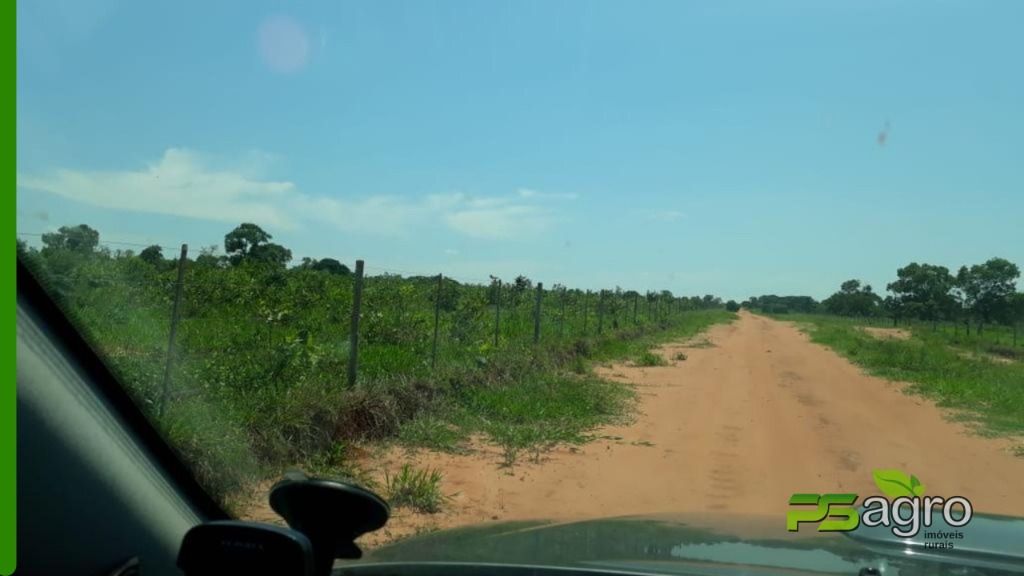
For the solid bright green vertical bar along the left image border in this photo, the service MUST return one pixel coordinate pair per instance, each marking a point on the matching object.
(9, 385)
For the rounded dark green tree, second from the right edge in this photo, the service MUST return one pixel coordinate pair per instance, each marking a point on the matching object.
(924, 292)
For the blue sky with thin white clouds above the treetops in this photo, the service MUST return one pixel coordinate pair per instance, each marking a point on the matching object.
(727, 148)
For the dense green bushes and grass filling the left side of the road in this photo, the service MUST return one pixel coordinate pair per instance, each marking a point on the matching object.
(258, 381)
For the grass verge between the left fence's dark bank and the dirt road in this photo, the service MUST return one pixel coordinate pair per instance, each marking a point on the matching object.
(545, 398)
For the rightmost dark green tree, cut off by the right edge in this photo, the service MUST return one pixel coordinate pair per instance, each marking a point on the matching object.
(988, 289)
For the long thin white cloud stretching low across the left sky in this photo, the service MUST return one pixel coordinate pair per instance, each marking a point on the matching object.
(183, 184)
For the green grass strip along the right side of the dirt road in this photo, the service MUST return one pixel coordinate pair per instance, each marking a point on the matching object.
(990, 394)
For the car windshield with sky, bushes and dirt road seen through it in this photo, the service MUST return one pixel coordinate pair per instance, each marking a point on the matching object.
(546, 262)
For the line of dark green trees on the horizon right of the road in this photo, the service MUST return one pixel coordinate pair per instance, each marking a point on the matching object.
(979, 295)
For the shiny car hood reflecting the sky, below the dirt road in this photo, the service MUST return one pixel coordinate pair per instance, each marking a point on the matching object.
(677, 545)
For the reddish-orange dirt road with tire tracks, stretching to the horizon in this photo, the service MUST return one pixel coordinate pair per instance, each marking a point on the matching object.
(737, 428)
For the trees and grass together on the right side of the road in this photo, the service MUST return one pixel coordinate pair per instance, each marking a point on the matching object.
(956, 339)
